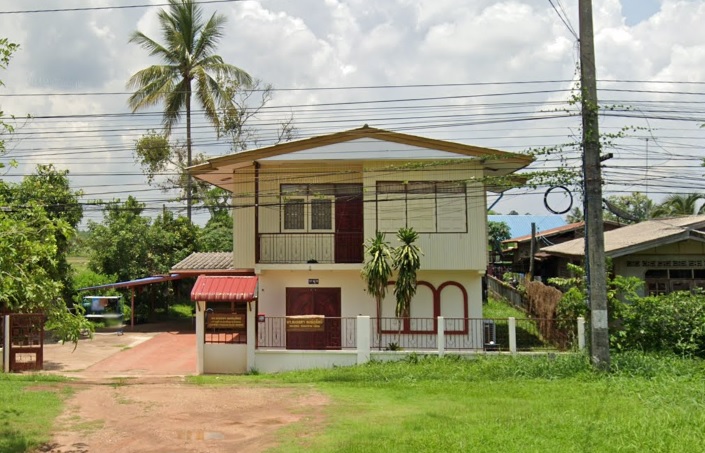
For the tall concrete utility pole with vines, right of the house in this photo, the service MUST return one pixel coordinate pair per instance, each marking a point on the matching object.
(594, 231)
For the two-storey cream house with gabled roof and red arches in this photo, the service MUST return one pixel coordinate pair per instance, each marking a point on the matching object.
(303, 210)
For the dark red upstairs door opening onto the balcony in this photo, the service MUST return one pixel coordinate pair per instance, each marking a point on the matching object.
(349, 226)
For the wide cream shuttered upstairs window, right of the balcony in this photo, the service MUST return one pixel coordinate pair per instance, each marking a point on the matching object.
(426, 206)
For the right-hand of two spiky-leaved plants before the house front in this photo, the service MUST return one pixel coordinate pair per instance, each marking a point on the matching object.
(406, 259)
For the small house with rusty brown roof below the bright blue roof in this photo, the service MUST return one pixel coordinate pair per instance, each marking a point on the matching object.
(519, 248)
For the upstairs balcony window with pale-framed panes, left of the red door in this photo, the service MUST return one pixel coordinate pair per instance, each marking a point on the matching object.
(307, 207)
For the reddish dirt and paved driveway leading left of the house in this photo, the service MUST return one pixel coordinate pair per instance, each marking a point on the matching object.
(130, 396)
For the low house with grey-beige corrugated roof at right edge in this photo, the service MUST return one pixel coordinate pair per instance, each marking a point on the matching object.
(668, 254)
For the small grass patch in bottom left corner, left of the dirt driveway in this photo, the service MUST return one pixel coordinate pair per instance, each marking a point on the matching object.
(28, 406)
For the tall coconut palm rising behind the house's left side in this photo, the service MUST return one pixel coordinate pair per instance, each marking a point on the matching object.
(187, 55)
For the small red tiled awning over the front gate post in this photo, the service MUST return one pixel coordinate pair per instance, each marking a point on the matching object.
(219, 288)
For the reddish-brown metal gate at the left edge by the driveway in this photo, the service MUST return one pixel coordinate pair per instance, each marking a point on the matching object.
(25, 342)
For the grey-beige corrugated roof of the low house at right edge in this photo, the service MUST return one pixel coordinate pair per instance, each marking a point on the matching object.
(632, 238)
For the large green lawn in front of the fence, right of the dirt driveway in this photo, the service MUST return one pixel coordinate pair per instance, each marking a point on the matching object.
(501, 403)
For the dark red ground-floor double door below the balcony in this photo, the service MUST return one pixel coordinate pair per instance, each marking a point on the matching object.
(315, 301)
